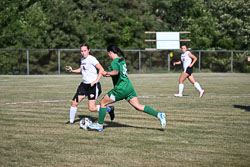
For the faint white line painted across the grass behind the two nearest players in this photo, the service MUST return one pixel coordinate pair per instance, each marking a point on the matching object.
(141, 97)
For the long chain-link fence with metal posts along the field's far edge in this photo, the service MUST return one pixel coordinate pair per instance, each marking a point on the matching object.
(53, 61)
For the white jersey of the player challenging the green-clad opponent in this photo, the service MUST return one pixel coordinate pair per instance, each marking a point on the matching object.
(88, 69)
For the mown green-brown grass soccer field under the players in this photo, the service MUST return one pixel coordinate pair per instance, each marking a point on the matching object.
(209, 131)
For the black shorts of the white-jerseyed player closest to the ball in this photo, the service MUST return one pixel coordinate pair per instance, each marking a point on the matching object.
(86, 90)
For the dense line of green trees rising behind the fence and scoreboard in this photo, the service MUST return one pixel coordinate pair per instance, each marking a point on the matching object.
(59, 24)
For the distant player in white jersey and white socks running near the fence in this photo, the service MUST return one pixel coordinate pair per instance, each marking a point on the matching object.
(187, 60)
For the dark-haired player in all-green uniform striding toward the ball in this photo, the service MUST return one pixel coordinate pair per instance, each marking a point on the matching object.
(123, 89)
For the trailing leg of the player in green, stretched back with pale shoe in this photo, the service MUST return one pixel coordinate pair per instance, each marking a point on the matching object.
(147, 109)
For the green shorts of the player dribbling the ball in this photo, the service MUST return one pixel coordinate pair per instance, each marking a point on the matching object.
(117, 95)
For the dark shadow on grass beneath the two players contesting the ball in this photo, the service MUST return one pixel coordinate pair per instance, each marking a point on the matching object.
(111, 124)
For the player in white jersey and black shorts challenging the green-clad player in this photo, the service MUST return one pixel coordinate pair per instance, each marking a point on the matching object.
(90, 85)
